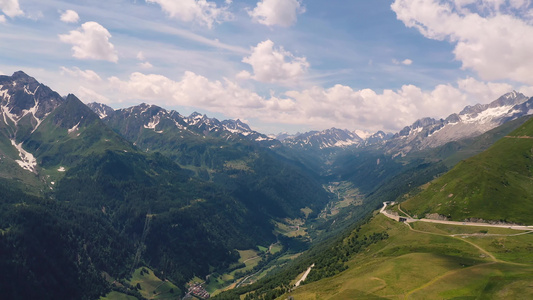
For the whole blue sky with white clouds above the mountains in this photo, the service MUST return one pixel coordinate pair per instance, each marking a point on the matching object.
(279, 65)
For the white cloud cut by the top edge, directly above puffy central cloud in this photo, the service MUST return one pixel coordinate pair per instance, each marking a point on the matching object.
(277, 12)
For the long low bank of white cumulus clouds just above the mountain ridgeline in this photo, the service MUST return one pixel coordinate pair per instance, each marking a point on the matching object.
(340, 105)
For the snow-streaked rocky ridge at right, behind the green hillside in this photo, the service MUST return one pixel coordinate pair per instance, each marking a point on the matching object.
(470, 122)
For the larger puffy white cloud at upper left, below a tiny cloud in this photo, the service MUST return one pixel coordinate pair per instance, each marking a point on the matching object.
(91, 41)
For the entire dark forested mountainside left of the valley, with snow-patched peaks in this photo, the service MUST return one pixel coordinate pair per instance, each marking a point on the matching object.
(179, 222)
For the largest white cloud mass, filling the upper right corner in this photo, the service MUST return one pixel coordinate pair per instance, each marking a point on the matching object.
(489, 35)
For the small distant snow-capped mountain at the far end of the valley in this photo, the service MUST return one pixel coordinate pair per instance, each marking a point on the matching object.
(323, 139)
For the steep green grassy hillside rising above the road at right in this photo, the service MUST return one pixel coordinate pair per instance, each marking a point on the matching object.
(494, 185)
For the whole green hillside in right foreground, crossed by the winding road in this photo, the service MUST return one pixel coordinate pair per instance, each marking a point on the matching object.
(383, 257)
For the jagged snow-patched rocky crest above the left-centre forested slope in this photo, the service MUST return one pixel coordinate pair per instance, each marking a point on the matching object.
(160, 120)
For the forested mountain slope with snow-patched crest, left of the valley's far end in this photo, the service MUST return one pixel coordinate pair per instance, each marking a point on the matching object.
(227, 153)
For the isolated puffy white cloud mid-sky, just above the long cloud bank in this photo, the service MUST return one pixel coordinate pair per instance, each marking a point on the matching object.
(270, 65)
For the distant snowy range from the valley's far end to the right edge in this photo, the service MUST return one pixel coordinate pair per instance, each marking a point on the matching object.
(423, 133)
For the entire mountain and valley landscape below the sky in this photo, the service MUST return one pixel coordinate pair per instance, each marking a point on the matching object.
(145, 203)
